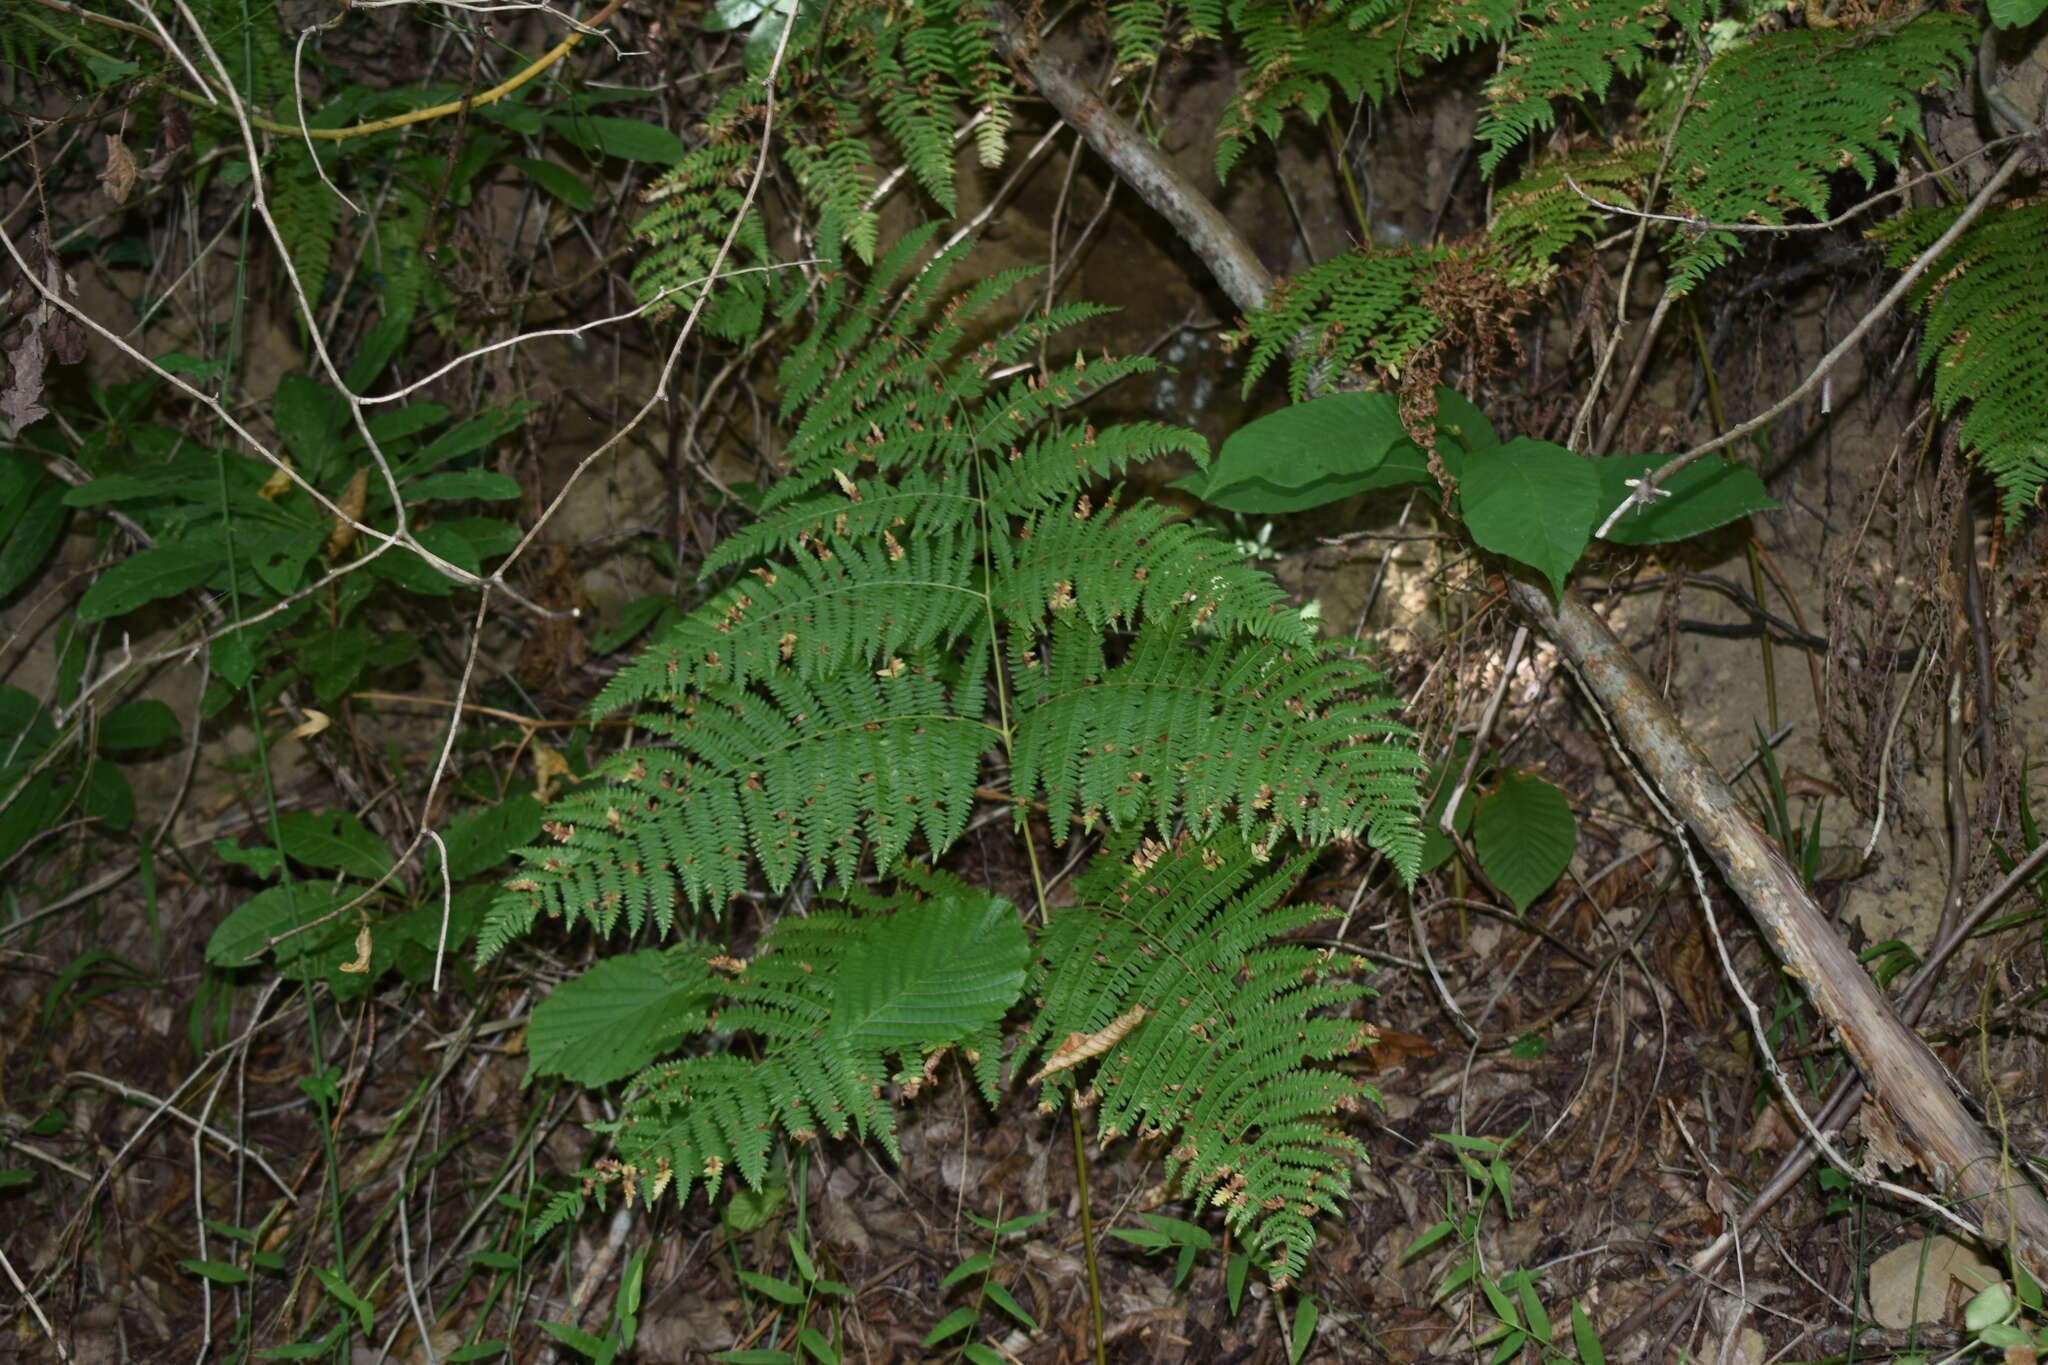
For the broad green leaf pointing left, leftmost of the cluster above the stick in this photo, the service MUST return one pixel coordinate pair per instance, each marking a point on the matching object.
(1306, 455)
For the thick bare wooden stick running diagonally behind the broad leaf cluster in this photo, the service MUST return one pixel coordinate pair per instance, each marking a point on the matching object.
(1904, 1075)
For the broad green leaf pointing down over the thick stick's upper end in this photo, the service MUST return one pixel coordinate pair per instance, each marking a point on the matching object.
(1531, 502)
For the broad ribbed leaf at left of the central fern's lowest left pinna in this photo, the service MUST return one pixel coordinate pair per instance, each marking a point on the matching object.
(617, 1018)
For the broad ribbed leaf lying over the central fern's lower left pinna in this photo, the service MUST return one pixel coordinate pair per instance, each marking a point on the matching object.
(933, 973)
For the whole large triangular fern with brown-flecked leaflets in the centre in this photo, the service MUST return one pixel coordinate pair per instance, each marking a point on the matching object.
(941, 597)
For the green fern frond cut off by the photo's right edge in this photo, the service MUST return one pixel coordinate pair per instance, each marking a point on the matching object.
(1988, 337)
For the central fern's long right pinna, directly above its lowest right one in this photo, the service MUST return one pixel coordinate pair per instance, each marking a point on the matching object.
(1236, 732)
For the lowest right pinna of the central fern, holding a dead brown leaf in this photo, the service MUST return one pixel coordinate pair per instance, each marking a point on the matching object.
(1234, 1020)
